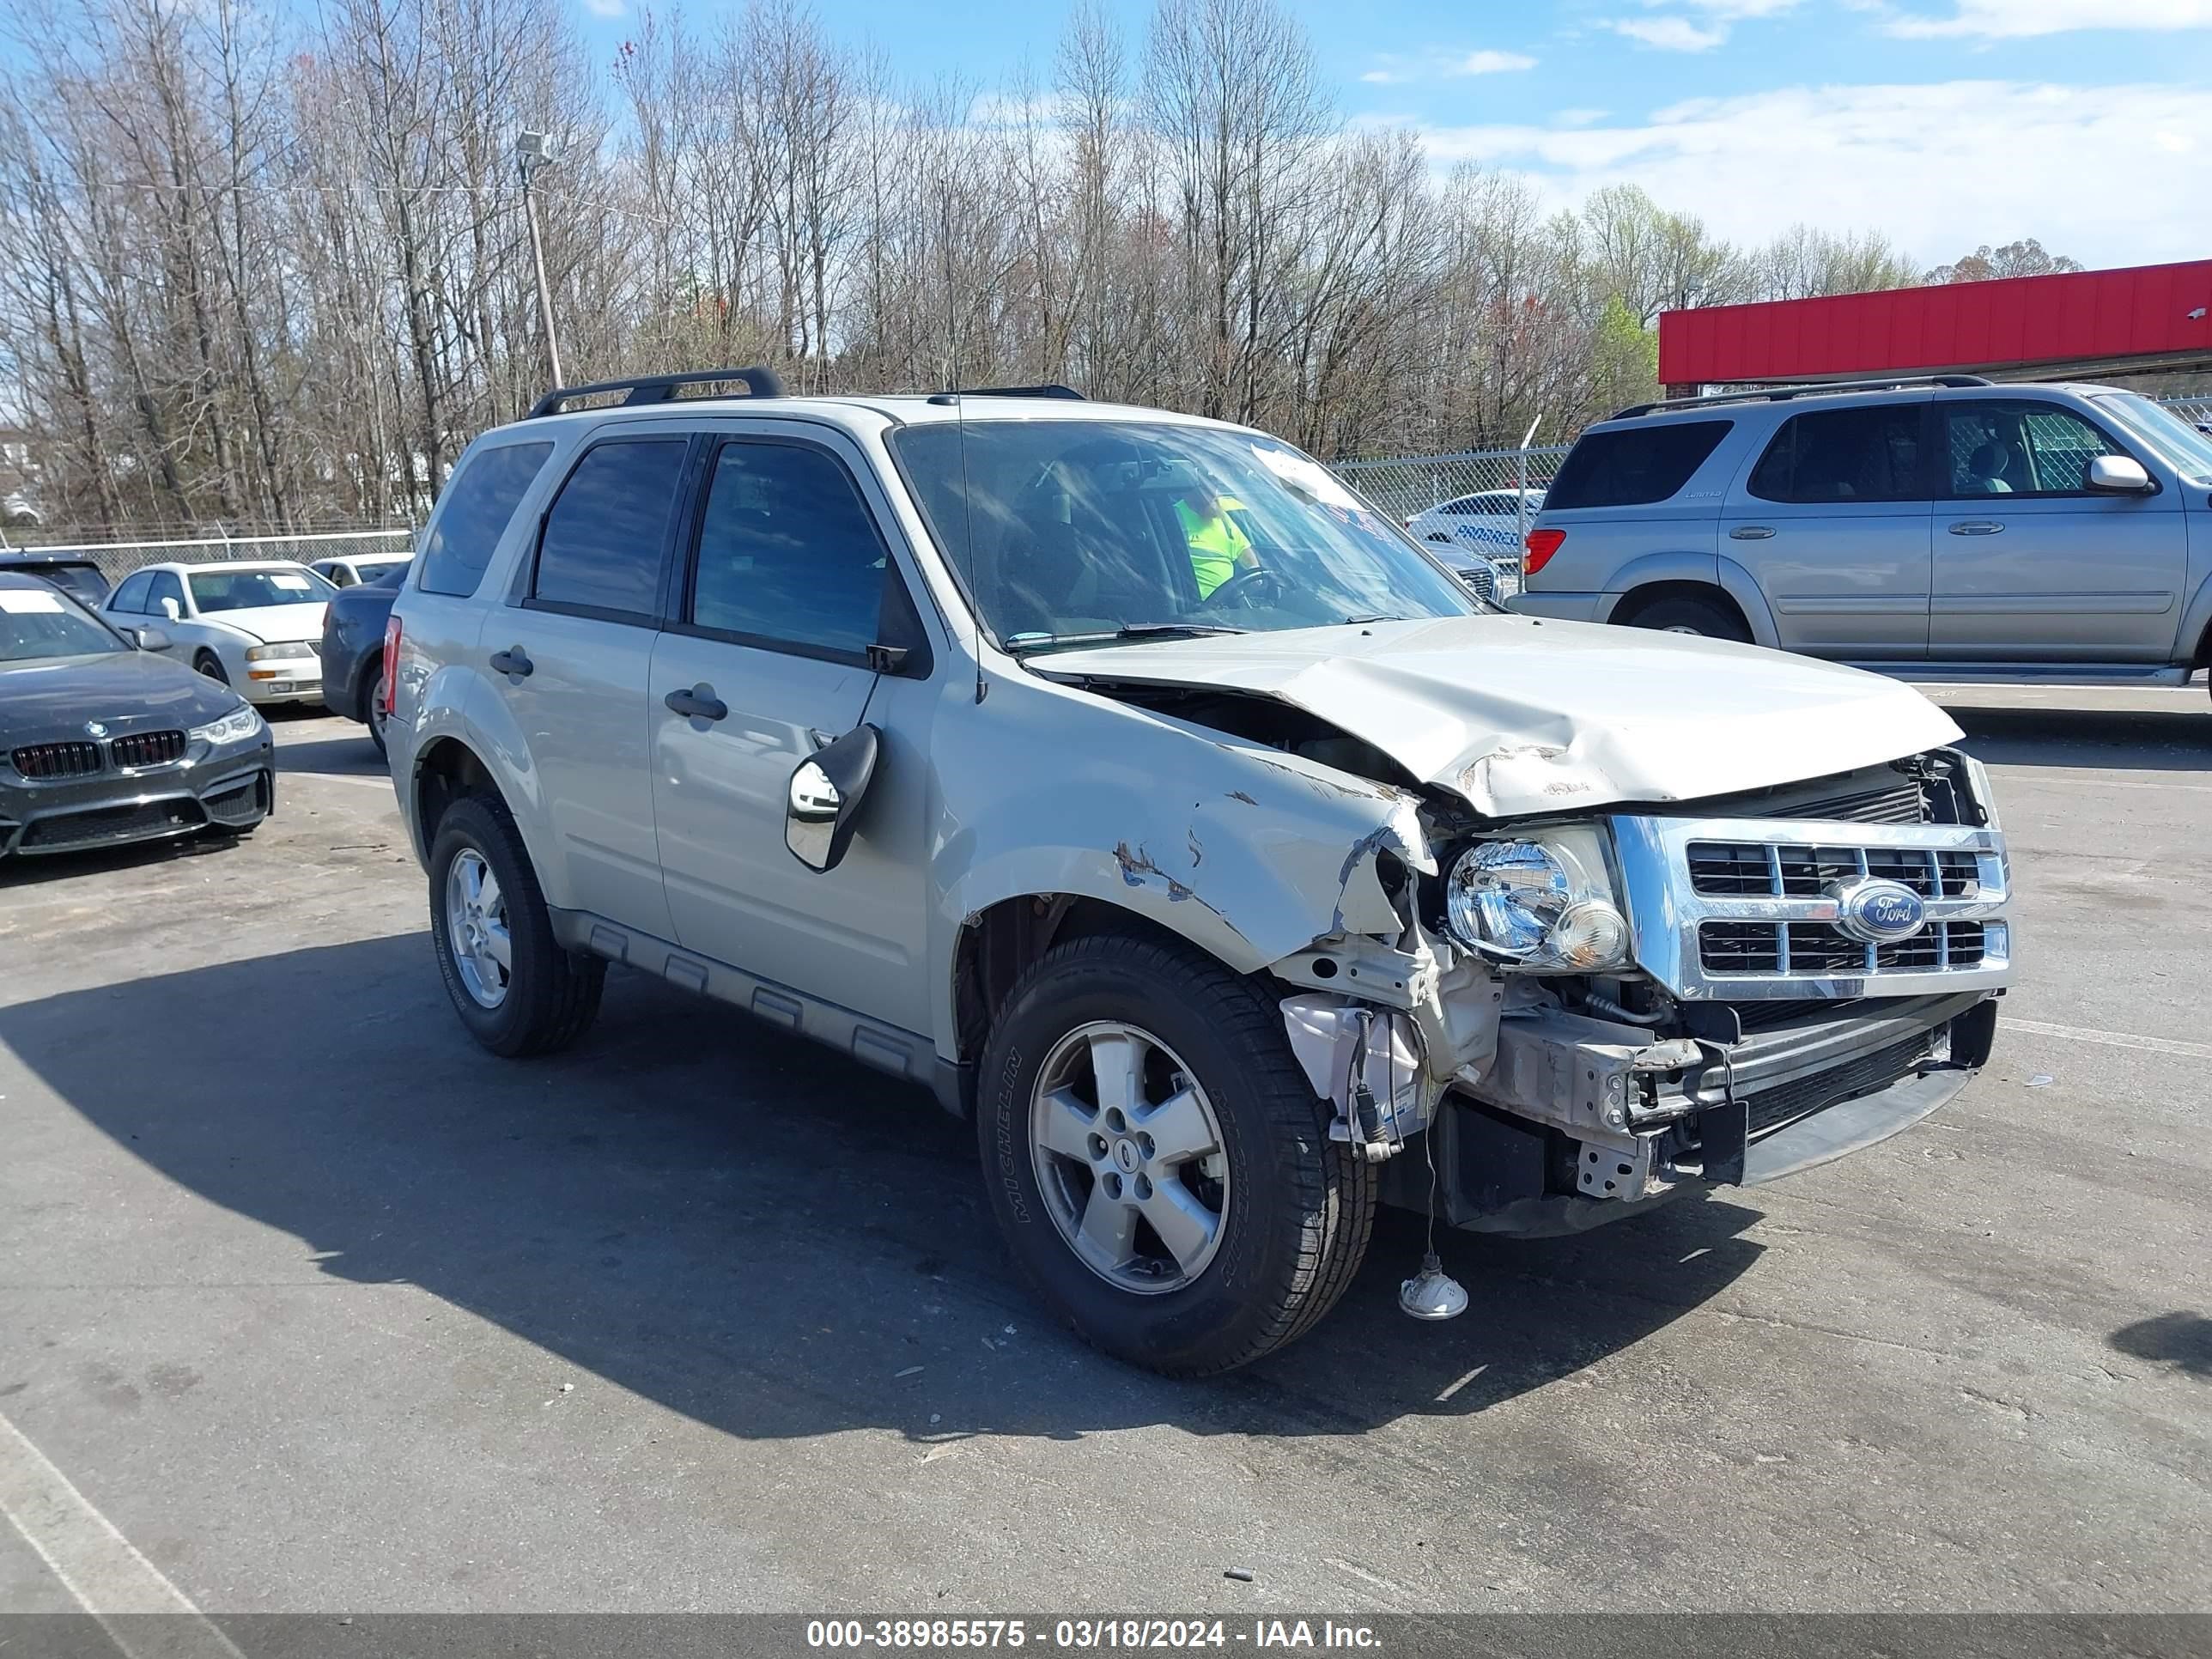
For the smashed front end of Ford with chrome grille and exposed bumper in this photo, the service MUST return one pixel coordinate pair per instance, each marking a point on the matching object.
(1594, 1014)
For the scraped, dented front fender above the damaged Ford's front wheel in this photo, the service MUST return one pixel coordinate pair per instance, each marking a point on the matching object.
(1244, 851)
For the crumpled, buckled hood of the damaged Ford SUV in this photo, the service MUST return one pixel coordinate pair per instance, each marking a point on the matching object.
(1534, 716)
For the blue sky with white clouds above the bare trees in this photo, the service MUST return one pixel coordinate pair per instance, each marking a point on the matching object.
(1941, 123)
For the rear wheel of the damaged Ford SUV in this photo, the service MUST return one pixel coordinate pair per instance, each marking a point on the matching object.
(508, 977)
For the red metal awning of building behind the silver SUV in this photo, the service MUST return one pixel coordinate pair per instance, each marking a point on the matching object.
(2091, 317)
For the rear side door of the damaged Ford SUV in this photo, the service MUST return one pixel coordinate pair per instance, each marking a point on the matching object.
(572, 662)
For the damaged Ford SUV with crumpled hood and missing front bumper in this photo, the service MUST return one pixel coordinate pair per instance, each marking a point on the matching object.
(1169, 813)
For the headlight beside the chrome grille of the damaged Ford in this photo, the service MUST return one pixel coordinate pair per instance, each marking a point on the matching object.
(1541, 901)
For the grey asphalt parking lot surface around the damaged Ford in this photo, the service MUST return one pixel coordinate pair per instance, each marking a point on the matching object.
(326, 1311)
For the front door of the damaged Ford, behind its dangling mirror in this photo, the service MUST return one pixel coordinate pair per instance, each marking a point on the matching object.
(764, 662)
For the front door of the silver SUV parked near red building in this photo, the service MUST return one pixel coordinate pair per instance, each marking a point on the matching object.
(2036, 567)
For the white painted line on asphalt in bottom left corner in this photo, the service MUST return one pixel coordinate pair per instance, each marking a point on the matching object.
(96, 1563)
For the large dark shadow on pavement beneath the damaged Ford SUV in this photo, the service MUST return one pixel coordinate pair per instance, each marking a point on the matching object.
(749, 1229)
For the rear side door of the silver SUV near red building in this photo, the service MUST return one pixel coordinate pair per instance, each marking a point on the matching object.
(1833, 523)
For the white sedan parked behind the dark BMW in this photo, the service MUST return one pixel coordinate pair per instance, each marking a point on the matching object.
(255, 627)
